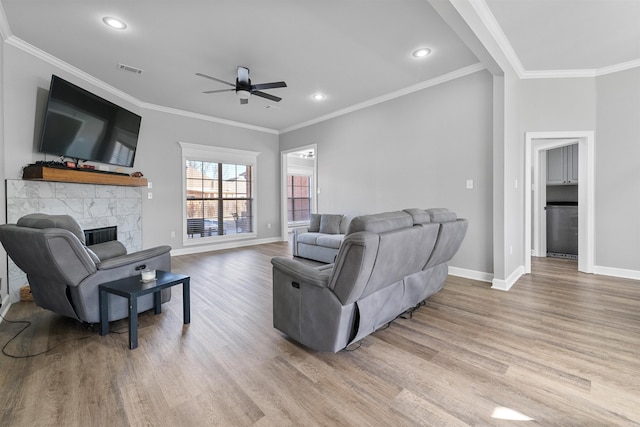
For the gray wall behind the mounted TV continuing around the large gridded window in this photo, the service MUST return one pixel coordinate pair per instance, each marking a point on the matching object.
(159, 157)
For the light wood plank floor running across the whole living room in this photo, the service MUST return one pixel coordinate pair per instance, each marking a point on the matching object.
(561, 348)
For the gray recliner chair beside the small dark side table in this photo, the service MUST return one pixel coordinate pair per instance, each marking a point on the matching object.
(64, 274)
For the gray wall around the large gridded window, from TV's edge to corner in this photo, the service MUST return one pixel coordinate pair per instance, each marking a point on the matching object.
(160, 159)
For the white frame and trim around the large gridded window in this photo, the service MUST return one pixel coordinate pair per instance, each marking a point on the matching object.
(208, 153)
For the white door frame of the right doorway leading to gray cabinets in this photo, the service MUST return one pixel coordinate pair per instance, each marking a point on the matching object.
(536, 143)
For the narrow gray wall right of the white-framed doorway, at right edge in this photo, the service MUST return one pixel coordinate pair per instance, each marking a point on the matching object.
(617, 177)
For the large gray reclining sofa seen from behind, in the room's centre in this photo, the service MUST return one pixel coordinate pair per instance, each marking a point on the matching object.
(388, 263)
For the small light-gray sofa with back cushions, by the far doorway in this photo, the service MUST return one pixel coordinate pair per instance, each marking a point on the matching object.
(321, 241)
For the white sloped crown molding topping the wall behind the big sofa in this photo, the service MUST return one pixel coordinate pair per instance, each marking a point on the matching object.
(384, 98)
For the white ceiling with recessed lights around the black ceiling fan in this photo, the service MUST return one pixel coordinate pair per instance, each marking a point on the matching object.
(354, 51)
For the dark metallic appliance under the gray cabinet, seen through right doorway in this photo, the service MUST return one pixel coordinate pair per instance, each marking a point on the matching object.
(562, 229)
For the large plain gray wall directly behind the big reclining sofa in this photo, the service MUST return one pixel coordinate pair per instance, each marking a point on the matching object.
(413, 151)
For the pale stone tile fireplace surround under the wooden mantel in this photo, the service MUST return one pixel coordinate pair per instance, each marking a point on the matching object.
(92, 205)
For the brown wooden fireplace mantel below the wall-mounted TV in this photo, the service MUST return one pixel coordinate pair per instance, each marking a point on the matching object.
(43, 173)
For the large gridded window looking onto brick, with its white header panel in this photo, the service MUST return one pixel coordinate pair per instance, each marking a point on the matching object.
(219, 192)
